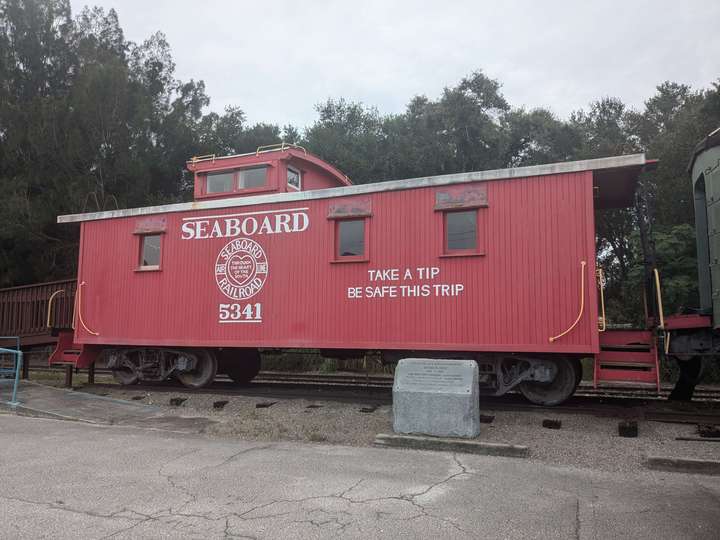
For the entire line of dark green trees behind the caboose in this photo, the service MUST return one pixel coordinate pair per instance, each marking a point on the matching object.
(90, 120)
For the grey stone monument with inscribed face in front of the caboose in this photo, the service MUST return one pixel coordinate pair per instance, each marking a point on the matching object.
(436, 397)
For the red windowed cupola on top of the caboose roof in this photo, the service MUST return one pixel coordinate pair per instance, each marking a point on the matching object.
(270, 169)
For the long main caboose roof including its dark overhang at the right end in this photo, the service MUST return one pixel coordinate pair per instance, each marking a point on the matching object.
(615, 180)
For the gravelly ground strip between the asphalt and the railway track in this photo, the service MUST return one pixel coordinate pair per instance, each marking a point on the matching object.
(583, 440)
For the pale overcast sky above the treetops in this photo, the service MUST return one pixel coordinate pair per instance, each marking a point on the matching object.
(277, 59)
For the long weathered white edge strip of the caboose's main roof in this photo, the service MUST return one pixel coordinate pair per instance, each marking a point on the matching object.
(361, 189)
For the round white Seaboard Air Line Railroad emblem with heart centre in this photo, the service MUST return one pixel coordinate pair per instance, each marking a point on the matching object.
(241, 269)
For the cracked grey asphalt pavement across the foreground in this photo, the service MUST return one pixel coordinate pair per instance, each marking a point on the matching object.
(62, 479)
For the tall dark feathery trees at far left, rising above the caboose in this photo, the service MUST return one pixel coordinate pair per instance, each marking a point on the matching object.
(88, 121)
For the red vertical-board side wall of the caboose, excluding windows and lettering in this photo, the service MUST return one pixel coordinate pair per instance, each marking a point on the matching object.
(525, 288)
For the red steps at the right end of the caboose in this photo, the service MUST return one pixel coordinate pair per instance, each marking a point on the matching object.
(627, 358)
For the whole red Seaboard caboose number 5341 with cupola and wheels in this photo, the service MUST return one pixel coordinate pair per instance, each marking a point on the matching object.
(279, 250)
